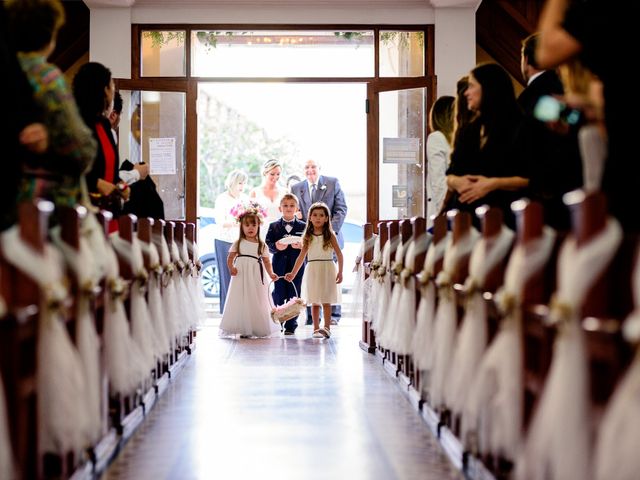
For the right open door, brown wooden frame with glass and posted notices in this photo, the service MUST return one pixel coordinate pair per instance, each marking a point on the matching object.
(397, 130)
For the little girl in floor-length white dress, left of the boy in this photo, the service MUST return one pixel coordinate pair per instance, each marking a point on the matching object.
(247, 309)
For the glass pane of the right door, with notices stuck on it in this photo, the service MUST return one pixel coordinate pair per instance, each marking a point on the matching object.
(402, 127)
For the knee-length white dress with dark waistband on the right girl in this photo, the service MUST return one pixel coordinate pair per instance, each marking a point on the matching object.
(319, 281)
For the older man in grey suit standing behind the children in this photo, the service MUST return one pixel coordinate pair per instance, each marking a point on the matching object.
(319, 188)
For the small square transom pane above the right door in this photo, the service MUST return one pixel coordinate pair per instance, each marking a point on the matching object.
(401, 54)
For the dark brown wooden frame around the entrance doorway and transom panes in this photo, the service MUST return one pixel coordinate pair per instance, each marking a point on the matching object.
(189, 85)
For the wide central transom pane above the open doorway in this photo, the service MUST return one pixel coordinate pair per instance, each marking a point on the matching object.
(282, 54)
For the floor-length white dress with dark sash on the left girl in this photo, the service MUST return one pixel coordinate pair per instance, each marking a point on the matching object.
(247, 308)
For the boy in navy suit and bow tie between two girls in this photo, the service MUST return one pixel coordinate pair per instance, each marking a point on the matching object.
(285, 255)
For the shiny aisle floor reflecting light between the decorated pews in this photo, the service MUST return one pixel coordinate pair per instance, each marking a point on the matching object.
(286, 408)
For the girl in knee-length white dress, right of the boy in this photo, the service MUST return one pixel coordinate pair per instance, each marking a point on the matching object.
(319, 284)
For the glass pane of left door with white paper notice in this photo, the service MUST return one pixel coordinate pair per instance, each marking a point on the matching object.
(152, 130)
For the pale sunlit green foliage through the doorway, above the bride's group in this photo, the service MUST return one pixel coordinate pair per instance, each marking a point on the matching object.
(230, 141)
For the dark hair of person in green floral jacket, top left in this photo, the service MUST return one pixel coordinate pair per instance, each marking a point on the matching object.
(34, 23)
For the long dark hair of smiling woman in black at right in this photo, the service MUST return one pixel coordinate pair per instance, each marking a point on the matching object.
(498, 106)
